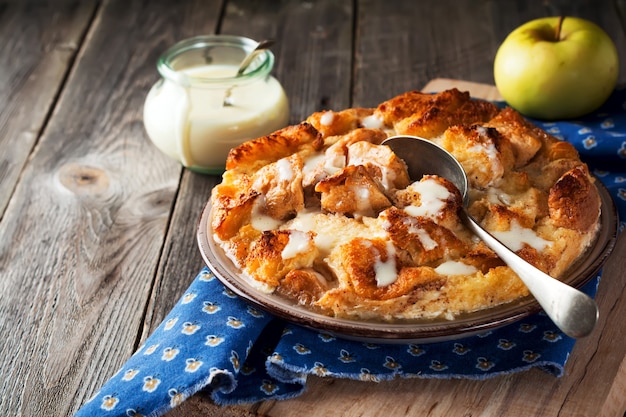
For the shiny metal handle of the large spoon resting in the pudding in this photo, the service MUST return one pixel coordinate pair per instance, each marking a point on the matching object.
(573, 311)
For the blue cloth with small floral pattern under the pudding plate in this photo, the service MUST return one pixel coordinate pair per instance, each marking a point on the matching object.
(215, 342)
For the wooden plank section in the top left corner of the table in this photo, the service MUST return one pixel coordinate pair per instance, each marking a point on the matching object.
(39, 42)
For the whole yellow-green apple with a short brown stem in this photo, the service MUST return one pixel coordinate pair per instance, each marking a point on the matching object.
(556, 68)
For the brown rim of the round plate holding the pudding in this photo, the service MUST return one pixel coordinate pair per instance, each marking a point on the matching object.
(414, 331)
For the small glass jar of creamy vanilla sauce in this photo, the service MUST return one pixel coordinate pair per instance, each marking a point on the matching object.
(201, 108)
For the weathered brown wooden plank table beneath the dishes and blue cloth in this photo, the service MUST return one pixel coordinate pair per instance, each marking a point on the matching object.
(97, 229)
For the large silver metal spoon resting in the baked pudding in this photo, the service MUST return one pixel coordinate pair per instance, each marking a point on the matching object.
(573, 311)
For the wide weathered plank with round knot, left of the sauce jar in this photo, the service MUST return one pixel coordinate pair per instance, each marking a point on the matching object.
(81, 240)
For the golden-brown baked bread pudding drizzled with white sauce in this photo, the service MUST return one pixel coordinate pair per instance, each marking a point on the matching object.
(323, 214)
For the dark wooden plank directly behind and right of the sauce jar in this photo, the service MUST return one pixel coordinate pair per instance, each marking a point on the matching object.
(314, 54)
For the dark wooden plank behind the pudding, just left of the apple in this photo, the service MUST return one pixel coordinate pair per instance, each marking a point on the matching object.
(401, 46)
